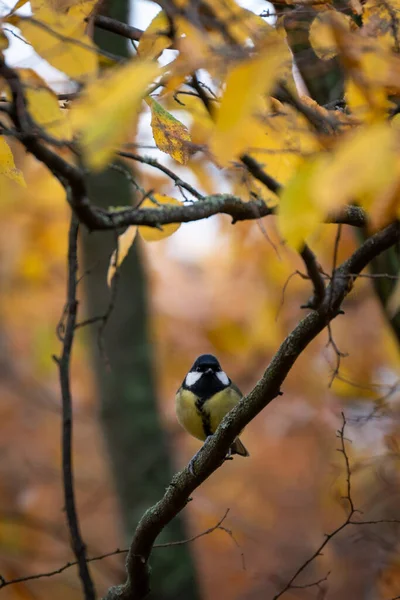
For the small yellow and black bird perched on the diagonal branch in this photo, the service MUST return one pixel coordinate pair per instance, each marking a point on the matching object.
(204, 398)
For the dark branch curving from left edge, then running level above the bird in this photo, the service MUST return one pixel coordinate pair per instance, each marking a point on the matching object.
(95, 218)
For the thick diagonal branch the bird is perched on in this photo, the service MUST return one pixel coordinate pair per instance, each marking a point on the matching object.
(214, 450)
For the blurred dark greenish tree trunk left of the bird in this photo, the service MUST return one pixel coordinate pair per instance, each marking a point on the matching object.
(137, 444)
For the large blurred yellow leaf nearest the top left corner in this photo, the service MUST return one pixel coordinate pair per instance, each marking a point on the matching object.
(60, 39)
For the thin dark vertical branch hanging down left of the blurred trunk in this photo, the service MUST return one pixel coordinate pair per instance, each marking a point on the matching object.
(64, 365)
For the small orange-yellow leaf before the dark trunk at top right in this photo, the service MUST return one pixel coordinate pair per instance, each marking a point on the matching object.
(322, 38)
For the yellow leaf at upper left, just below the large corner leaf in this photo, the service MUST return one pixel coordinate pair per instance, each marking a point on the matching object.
(43, 105)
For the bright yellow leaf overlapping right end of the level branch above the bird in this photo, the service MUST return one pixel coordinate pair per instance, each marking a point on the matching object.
(299, 216)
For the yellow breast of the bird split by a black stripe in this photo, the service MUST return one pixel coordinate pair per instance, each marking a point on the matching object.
(212, 412)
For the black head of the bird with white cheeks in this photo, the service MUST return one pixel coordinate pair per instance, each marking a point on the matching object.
(206, 377)
